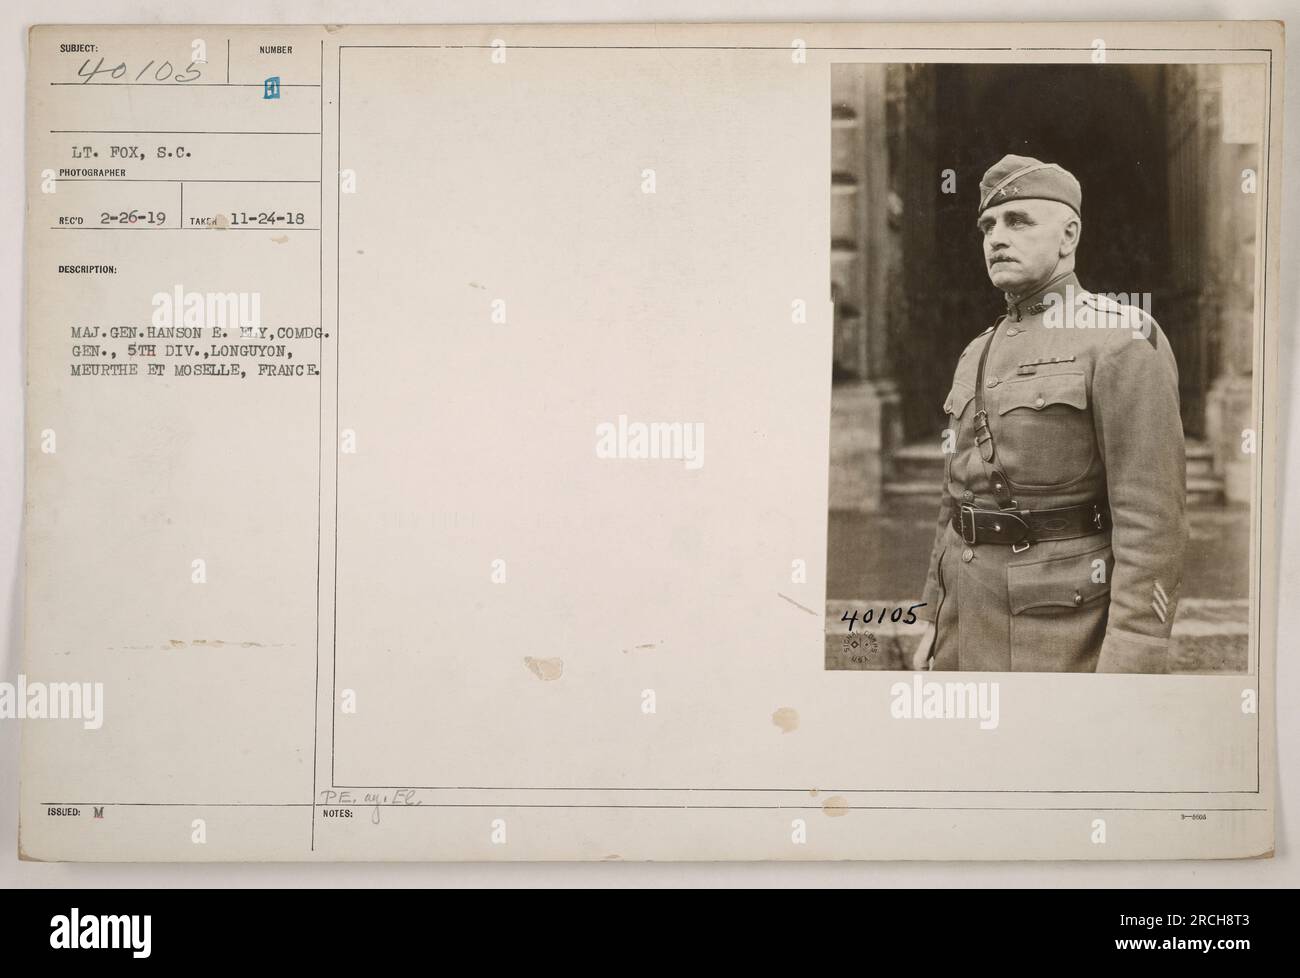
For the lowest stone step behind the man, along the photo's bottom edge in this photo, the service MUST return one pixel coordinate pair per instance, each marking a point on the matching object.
(1210, 637)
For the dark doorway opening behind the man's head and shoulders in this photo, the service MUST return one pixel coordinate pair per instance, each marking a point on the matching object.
(1102, 123)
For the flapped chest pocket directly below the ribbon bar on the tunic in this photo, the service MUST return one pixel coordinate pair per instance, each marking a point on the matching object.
(1045, 431)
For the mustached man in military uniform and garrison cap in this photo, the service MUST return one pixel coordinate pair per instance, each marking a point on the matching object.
(1063, 529)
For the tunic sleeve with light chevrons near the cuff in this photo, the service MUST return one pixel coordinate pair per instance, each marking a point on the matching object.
(1141, 436)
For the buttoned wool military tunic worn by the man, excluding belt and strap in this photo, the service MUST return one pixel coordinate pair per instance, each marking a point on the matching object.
(1082, 408)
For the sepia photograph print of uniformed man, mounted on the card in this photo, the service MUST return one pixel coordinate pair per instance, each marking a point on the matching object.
(1043, 280)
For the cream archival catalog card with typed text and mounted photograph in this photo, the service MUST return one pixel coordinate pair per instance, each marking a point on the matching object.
(651, 443)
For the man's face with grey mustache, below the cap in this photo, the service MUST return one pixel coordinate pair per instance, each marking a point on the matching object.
(1025, 241)
